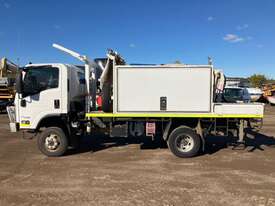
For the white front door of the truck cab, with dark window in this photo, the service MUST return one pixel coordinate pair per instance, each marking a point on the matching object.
(42, 95)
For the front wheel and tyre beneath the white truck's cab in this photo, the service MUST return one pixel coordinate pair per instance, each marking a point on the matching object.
(52, 142)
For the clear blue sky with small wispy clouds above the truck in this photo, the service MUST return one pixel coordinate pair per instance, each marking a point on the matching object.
(237, 34)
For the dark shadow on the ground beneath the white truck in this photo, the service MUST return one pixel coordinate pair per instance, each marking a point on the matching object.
(253, 141)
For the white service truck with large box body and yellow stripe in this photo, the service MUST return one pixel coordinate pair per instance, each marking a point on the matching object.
(62, 102)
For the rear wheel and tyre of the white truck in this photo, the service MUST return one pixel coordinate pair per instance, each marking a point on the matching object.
(184, 142)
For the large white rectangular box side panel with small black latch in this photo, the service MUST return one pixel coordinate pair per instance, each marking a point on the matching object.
(185, 88)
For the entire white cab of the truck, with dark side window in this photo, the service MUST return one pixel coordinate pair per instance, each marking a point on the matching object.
(48, 91)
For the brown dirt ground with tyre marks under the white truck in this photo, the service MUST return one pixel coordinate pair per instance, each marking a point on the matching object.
(105, 172)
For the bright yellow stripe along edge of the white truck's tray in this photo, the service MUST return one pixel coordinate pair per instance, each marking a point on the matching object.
(174, 115)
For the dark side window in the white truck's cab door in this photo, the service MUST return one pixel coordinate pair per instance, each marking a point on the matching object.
(37, 79)
